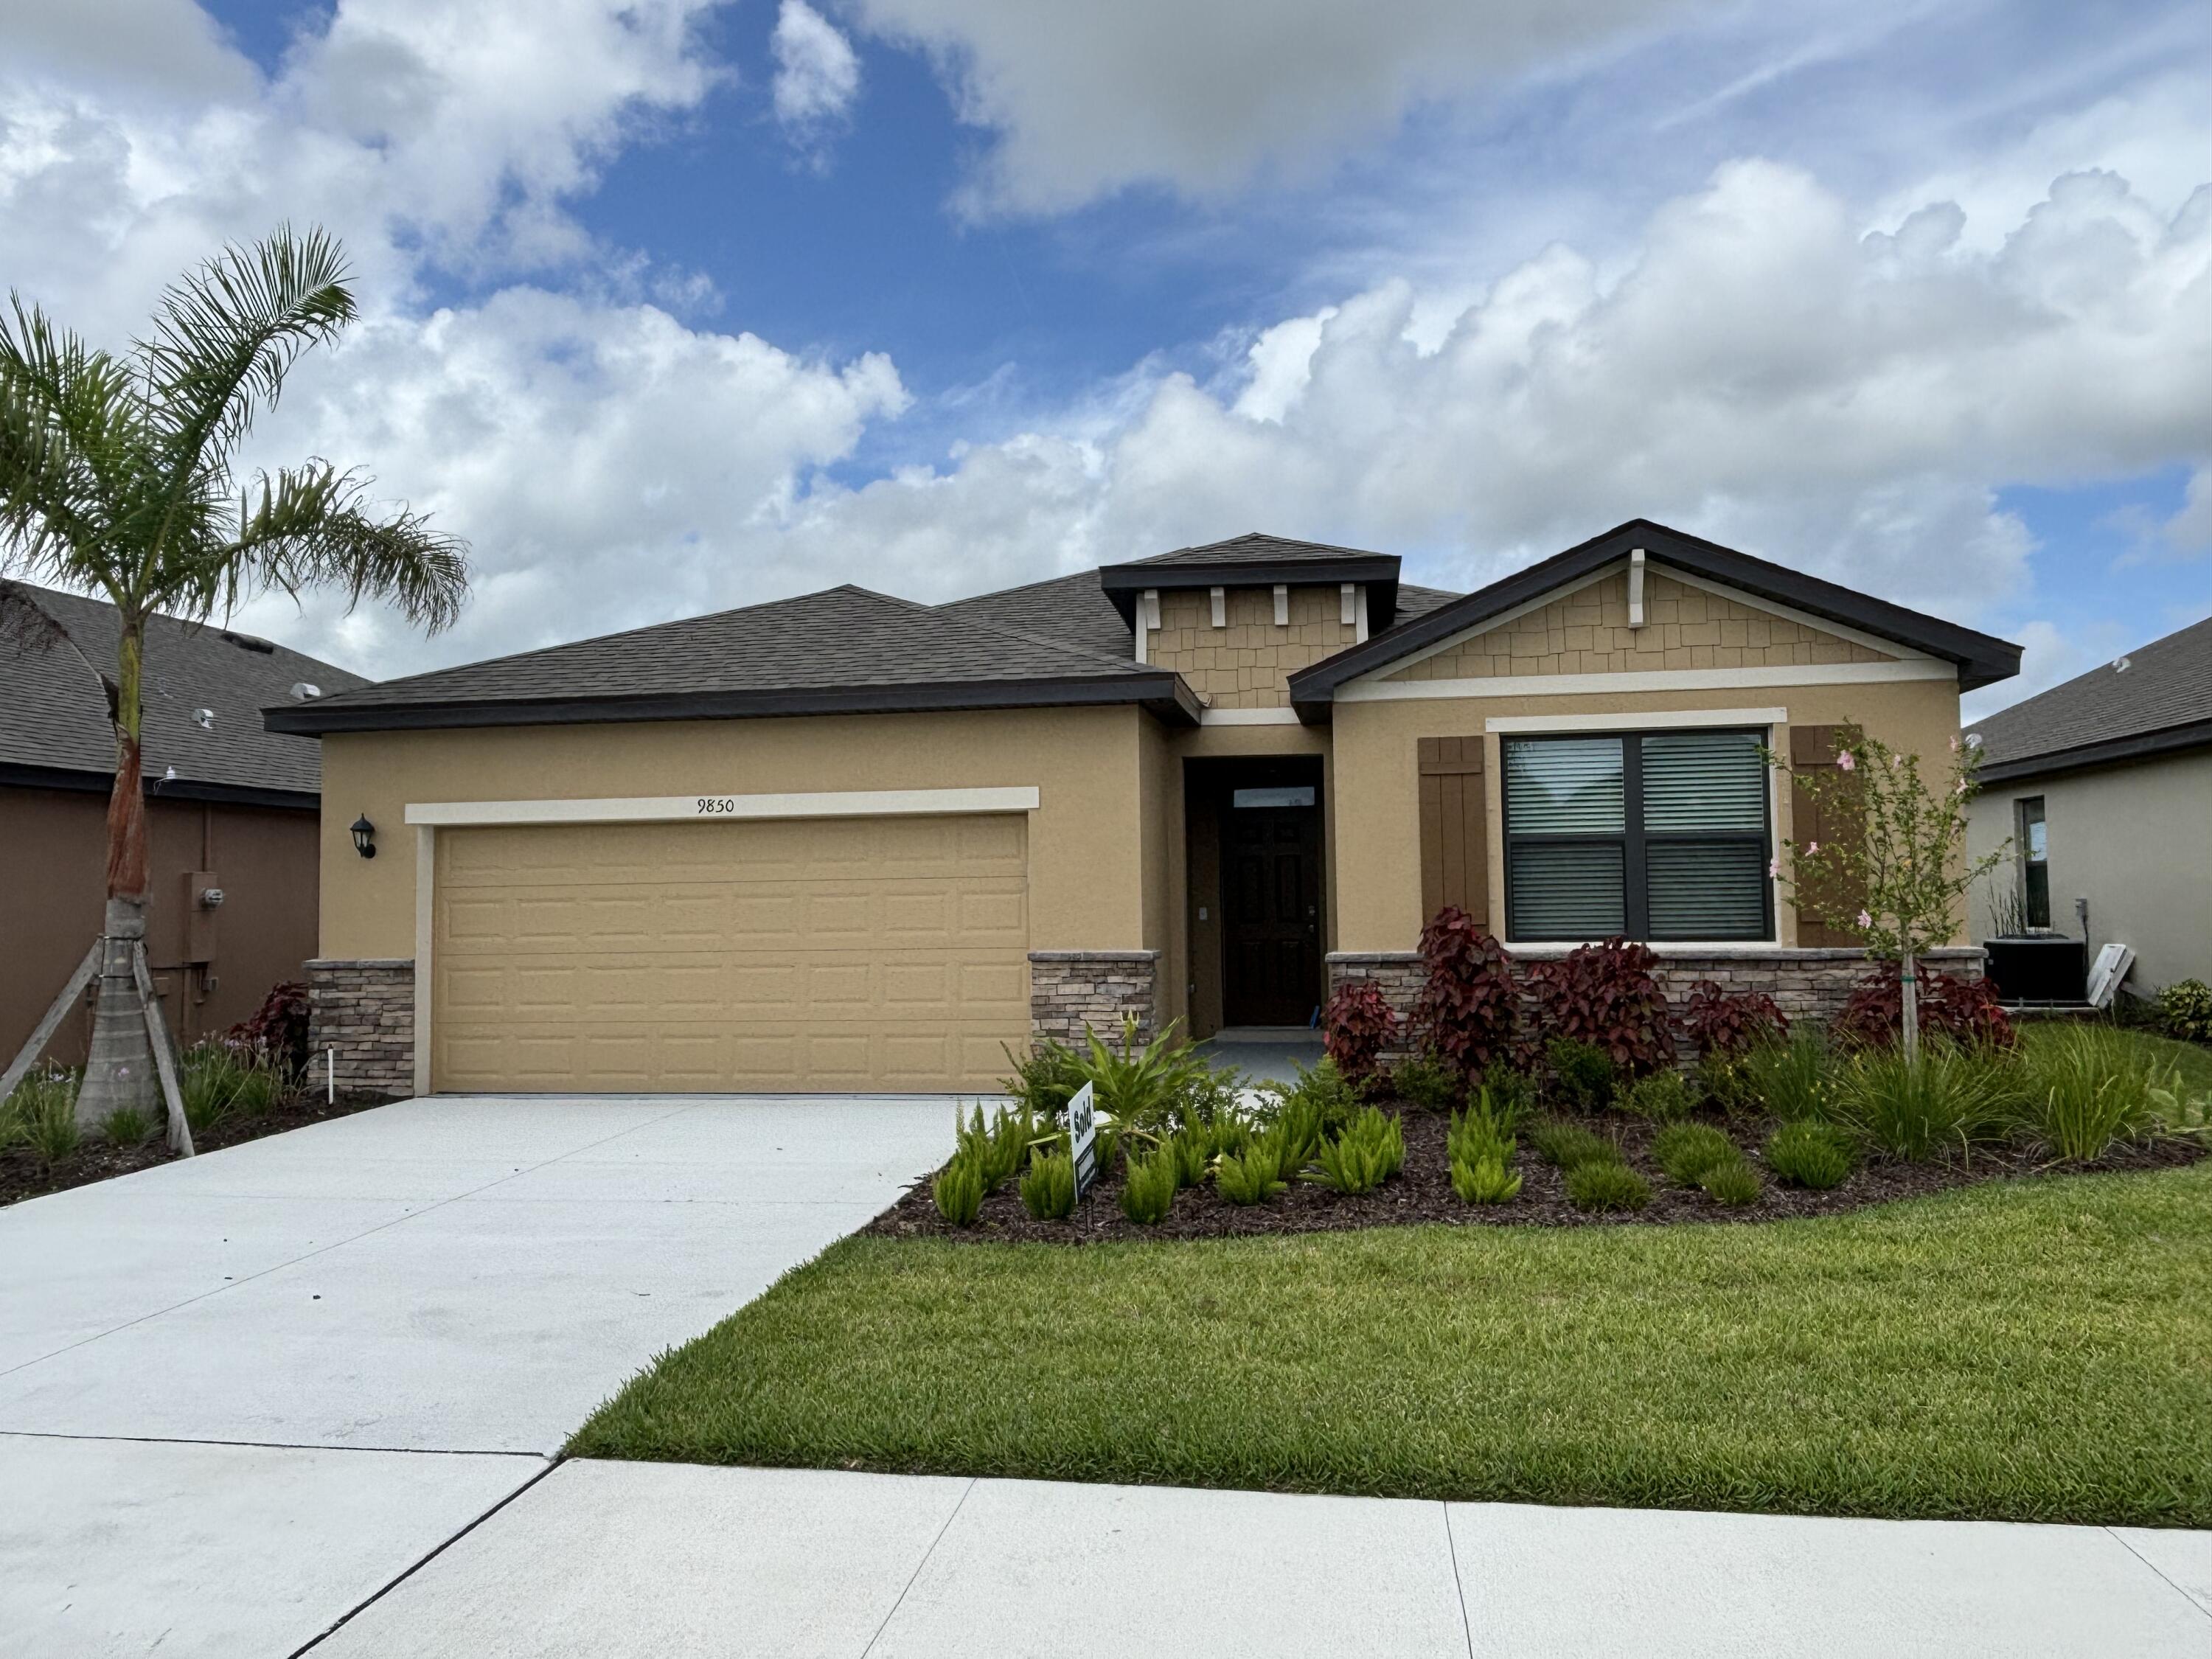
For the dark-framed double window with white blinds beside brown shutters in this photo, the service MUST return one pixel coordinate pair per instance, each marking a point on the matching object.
(1651, 835)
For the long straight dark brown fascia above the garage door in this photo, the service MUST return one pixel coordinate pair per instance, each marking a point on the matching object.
(1160, 691)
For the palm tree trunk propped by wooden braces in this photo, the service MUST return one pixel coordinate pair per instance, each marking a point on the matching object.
(121, 1067)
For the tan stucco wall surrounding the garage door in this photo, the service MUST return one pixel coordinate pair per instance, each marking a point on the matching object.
(1085, 839)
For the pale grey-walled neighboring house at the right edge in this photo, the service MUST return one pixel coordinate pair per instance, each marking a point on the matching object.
(2105, 791)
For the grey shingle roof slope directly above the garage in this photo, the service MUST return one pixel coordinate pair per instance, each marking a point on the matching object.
(835, 640)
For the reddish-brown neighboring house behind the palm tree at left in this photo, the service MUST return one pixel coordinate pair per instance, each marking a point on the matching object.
(231, 806)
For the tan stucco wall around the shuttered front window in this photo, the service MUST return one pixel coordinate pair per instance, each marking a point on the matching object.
(1377, 848)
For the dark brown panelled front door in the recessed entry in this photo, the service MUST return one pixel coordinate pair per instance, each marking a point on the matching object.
(1271, 908)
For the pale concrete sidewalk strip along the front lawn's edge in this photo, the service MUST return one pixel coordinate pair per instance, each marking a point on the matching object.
(605, 1558)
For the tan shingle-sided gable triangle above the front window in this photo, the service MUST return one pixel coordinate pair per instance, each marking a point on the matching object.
(1587, 634)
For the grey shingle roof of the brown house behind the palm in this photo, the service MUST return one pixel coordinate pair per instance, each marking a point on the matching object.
(59, 713)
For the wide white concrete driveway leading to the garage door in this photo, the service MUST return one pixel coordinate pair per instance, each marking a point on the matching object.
(244, 1392)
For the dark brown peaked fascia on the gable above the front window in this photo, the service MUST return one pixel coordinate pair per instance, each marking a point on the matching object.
(1981, 658)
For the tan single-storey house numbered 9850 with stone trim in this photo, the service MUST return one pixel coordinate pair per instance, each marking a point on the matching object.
(848, 842)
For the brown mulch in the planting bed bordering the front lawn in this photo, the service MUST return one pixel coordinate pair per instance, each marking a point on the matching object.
(1421, 1193)
